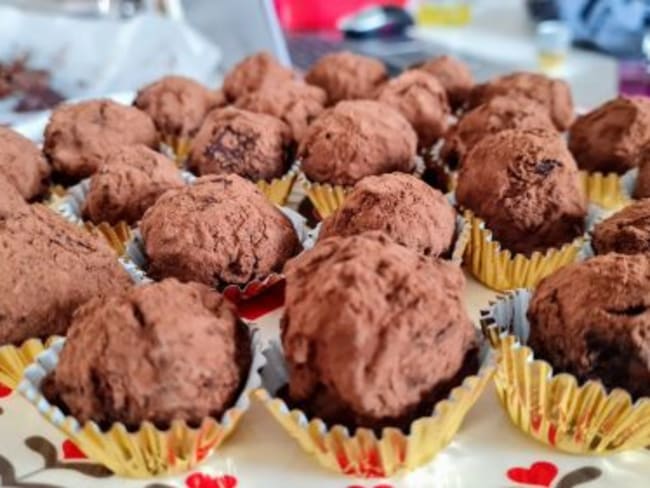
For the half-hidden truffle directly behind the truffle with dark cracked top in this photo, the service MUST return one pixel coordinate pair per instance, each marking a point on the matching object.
(295, 103)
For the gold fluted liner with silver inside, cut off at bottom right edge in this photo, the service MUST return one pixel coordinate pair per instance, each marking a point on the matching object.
(556, 409)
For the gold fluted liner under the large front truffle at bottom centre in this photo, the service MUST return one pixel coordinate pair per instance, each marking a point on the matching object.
(362, 453)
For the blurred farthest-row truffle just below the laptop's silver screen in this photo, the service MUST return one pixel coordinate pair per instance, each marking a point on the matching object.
(252, 73)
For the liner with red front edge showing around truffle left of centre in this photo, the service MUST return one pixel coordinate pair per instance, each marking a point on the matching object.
(135, 252)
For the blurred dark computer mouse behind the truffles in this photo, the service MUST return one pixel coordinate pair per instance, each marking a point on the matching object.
(381, 21)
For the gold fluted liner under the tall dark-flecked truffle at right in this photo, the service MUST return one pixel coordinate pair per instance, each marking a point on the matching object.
(498, 269)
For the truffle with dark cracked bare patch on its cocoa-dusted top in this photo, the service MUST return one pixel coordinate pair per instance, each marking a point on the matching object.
(253, 145)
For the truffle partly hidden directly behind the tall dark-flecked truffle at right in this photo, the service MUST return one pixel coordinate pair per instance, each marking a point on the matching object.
(495, 115)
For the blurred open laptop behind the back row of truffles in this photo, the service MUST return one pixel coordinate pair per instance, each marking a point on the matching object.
(243, 27)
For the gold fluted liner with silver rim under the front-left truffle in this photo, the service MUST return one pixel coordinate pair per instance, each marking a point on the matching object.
(149, 451)
